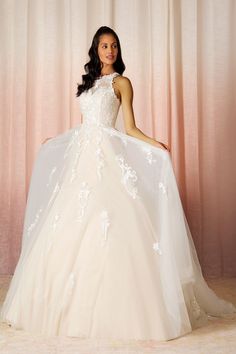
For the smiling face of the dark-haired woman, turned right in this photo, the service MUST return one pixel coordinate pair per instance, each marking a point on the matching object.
(107, 49)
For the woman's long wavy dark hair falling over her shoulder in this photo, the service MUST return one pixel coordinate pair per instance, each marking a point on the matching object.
(93, 67)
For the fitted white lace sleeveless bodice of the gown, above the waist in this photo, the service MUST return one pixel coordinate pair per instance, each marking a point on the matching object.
(100, 105)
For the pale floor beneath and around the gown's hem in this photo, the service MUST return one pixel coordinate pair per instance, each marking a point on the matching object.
(218, 336)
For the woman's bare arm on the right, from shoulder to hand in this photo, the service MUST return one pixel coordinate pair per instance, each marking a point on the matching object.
(123, 85)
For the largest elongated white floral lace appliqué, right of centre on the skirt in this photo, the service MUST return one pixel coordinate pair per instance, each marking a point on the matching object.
(129, 177)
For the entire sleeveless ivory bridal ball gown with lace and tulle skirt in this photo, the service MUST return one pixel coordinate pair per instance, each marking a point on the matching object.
(106, 248)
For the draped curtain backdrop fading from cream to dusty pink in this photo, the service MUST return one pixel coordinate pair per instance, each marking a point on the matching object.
(180, 56)
